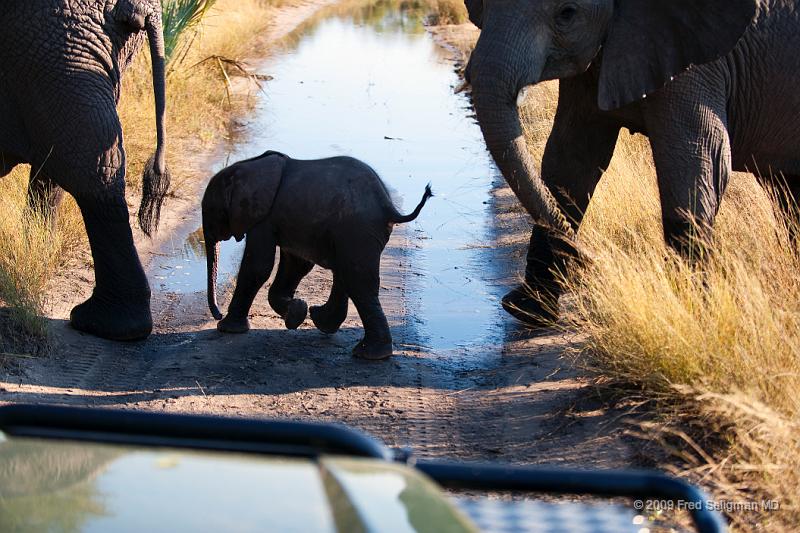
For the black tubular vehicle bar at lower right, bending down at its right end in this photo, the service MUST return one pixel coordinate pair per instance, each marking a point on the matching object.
(608, 483)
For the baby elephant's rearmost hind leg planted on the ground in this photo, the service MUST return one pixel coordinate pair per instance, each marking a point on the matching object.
(358, 265)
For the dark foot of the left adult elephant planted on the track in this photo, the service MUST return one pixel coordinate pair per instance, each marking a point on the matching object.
(114, 320)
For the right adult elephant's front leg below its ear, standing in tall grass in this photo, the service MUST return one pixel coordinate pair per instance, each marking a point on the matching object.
(692, 154)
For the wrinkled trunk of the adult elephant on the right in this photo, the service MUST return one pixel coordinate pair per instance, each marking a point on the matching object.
(495, 85)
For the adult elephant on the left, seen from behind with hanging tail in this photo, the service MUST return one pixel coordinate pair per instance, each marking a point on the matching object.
(60, 68)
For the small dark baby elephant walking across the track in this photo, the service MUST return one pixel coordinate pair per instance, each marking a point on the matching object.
(334, 212)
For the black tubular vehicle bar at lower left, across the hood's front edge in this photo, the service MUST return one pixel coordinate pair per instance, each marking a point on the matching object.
(137, 428)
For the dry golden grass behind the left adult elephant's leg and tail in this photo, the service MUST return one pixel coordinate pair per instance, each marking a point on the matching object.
(198, 113)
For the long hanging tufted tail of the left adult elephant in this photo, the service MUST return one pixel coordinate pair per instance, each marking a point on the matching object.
(156, 177)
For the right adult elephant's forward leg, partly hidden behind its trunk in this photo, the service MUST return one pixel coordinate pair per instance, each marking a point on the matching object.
(578, 151)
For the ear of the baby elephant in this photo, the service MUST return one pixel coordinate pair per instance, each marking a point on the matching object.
(253, 190)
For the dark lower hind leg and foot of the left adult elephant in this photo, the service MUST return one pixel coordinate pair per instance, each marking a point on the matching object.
(119, 308)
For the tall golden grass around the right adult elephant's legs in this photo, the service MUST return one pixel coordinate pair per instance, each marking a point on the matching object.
(716, 345)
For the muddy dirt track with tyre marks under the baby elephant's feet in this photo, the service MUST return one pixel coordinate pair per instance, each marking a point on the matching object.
(518, 401)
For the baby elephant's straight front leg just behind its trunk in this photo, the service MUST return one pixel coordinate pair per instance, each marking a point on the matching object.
(256, 267)
